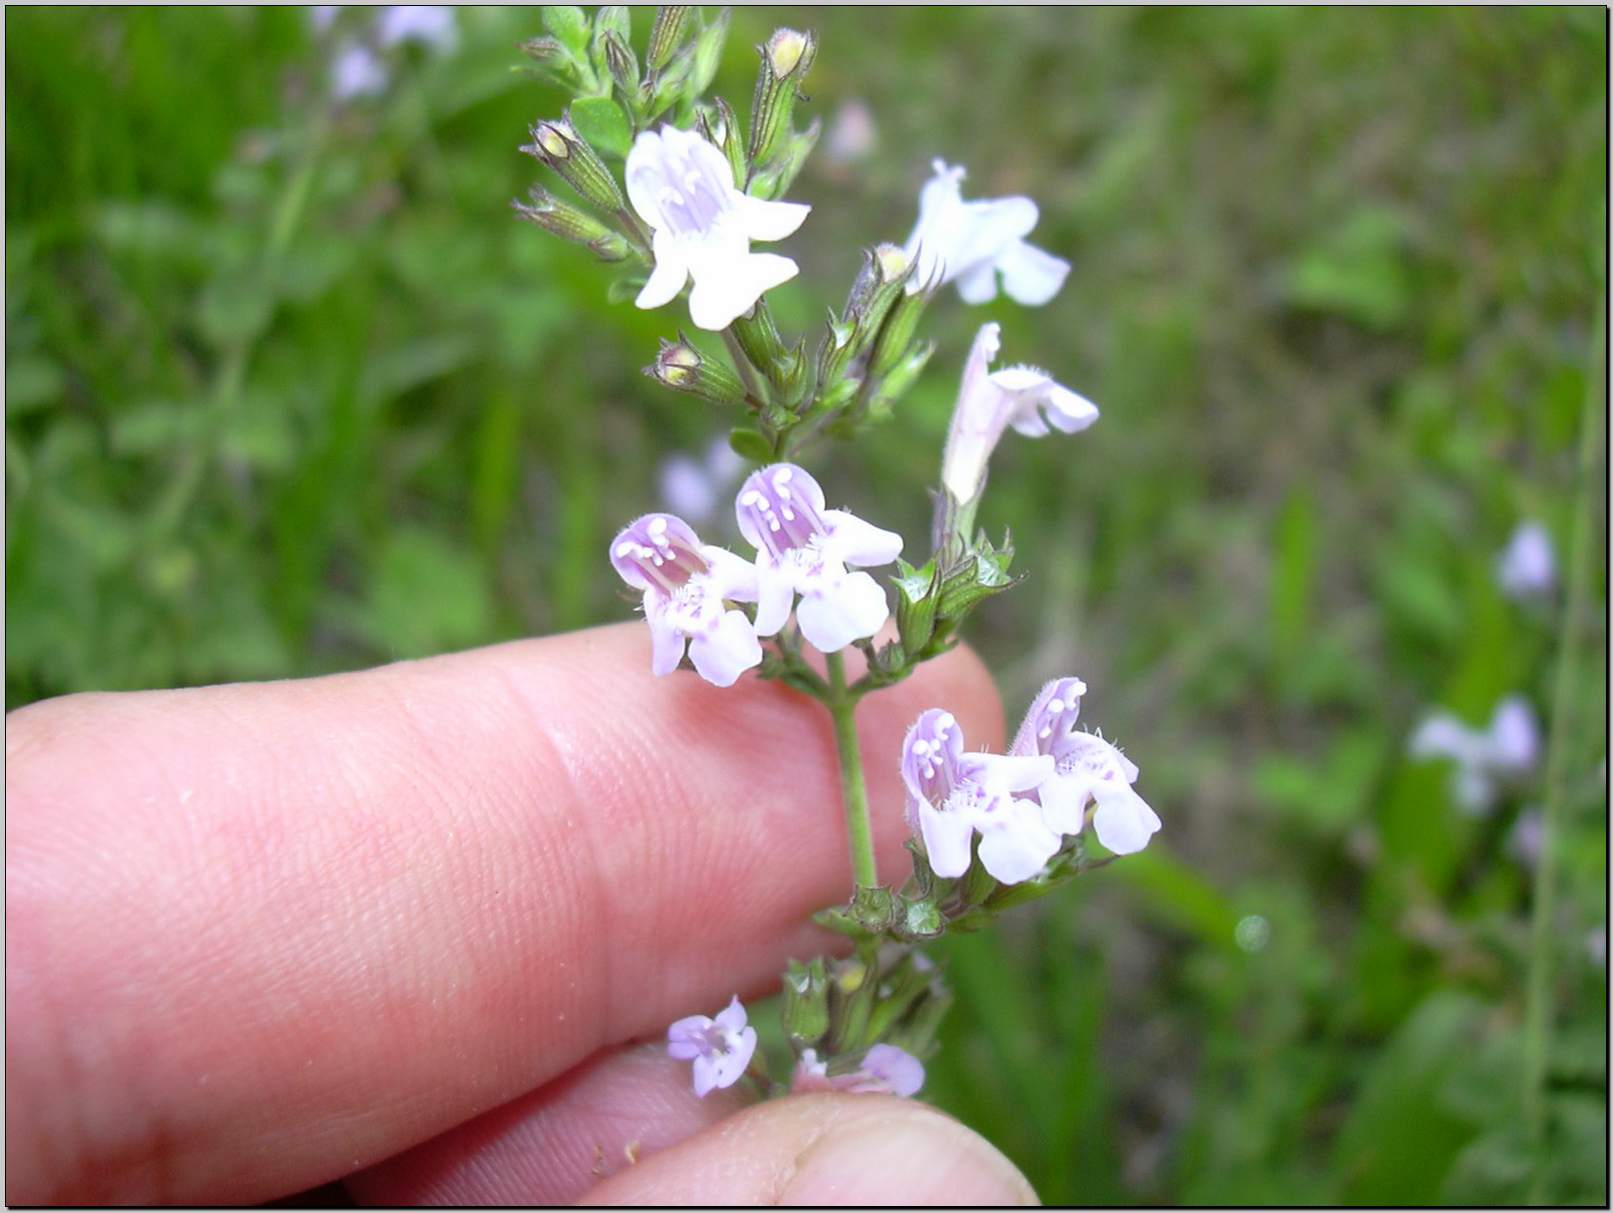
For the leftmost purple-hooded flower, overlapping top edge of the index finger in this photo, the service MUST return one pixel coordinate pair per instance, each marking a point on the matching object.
(685, 588)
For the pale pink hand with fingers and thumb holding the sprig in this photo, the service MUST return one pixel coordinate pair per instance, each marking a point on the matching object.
(419, 930)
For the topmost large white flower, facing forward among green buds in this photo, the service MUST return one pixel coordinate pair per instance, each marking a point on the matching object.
(683, 188)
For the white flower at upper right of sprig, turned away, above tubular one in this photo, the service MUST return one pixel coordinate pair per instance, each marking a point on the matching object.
(972, 243)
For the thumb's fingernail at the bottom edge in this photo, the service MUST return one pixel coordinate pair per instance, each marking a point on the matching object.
(912, 1157)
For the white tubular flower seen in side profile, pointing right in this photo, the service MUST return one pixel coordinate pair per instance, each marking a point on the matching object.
(993, 401)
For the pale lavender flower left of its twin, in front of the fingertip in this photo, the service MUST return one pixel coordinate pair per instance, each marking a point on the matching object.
(951, 796)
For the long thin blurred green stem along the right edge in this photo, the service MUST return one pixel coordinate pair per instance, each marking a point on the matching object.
(1572, 635)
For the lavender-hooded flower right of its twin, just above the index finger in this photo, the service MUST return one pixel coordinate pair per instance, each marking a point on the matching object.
(806, 549)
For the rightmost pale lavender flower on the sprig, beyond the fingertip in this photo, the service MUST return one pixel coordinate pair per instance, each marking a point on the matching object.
(1086, 769)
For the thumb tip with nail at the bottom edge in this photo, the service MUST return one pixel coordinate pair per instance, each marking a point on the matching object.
(825, 1149)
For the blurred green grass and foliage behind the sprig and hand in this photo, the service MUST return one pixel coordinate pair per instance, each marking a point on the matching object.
(291, 391)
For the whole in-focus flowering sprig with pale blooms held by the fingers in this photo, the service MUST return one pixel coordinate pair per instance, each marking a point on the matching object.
(672, 190)
